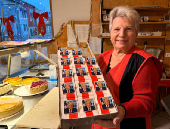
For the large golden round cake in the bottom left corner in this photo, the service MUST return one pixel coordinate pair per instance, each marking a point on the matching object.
(10, 106)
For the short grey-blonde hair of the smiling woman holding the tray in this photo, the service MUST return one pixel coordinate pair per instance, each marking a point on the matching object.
(126, 12)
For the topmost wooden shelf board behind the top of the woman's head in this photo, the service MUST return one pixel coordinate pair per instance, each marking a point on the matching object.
(147, 8)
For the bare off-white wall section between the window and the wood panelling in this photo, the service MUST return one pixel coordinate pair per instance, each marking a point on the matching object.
(66, 10)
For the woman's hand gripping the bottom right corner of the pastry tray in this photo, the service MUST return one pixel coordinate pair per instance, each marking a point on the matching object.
(115, 122)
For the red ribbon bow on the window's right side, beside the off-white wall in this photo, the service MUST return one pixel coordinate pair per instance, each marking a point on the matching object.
(41, 23)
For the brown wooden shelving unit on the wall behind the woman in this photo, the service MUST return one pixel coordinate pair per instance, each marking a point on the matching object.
(153, 25)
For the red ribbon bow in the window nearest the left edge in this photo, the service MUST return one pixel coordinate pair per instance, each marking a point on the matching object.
(10, 32)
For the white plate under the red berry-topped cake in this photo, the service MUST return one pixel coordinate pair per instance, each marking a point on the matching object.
(22, 91)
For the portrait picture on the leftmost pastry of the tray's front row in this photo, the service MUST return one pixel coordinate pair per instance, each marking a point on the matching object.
(70, 106)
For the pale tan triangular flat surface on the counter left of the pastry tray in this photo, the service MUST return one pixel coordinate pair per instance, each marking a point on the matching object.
(46, 112)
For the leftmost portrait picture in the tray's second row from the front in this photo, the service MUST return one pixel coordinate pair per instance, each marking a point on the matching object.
(67, 88)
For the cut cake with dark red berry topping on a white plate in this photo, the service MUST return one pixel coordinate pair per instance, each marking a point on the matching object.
(38, 87)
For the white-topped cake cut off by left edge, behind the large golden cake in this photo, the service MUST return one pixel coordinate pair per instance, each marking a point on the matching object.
(4, 88)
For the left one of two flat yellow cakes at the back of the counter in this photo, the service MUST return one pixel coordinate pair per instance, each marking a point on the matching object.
(13, 81)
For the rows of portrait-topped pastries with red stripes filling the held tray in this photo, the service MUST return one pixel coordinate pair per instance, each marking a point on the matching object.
(83, 91)
